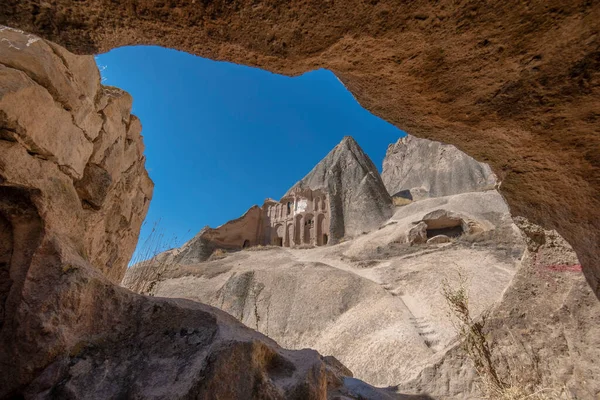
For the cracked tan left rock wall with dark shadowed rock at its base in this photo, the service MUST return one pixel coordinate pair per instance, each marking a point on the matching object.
(73, 193)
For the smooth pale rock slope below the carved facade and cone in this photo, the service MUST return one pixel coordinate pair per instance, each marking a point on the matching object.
(344, 300)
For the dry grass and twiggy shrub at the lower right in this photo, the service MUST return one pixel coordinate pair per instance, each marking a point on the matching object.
(516, 383)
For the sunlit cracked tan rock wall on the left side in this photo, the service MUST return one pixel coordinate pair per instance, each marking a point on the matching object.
(73, 140)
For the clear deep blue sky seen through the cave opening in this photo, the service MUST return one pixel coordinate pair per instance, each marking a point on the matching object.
(222, 137)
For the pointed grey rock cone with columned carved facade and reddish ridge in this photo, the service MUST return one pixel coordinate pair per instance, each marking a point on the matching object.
(341, 197)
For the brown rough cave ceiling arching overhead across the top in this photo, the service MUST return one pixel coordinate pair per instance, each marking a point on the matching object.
(511, 83)
